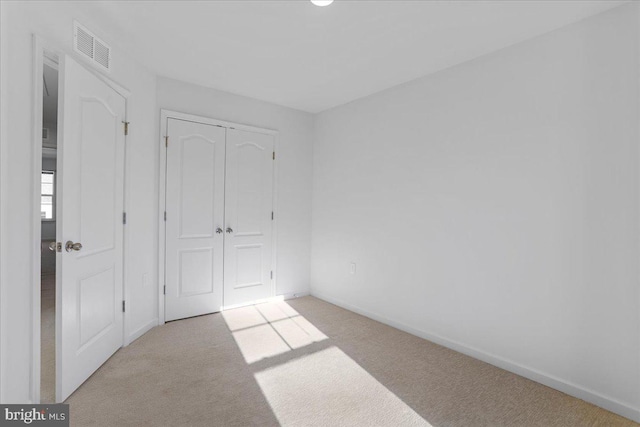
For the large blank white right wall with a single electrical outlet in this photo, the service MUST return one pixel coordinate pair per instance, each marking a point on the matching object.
(493, 207)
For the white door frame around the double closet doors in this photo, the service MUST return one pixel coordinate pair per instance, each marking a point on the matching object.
(162, 194)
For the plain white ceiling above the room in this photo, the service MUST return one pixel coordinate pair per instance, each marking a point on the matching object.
(311, 58)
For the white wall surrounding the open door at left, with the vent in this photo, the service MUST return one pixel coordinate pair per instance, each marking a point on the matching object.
(54, 22)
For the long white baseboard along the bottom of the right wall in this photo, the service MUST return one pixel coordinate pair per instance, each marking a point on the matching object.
(549, 380)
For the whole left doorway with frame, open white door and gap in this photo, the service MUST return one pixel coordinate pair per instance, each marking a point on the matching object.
(79, 126)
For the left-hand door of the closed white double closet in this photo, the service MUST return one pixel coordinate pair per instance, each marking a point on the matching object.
(194, 220)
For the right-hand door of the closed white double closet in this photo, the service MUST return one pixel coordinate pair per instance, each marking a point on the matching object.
(248, 217)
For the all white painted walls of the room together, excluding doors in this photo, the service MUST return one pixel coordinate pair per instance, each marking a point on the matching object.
(492, 207)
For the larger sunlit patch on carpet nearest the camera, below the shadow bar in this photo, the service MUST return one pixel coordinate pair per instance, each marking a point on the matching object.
(328, 388)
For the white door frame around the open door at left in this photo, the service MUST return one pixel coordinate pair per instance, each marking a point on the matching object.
(42, 46)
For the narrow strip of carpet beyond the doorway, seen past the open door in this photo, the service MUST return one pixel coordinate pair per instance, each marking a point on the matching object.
(48, 338)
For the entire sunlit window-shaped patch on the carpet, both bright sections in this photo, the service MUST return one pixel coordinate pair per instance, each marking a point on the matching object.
(306, 380)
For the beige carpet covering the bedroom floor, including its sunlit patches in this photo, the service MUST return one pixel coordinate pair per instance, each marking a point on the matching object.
(306, 362)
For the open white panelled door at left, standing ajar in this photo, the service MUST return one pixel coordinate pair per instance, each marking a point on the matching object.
(89, 315)
